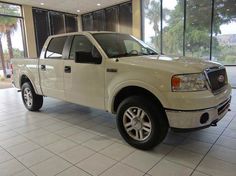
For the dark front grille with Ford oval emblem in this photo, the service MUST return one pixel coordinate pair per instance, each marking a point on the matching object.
(217, 78)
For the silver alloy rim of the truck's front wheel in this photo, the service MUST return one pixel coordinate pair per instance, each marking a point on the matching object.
(137, 123)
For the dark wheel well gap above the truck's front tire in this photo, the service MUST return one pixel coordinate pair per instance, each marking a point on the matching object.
(131, 91)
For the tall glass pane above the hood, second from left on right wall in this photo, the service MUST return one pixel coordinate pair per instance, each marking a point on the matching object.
(173, 26)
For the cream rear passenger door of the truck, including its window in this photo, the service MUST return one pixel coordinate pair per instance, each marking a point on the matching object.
(51, 68)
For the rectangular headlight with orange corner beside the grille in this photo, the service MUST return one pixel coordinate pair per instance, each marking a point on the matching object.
(188, 82)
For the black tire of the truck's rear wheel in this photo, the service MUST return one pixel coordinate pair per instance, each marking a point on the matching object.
(37, 100)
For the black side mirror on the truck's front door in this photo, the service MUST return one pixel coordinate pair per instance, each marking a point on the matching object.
(93, 57)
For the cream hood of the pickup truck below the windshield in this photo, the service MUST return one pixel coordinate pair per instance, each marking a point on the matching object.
(173, 64)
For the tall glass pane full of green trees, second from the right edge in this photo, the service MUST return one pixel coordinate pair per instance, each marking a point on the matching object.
(198, 28)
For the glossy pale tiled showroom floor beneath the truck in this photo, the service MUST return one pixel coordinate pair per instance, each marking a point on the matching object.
(70, 140)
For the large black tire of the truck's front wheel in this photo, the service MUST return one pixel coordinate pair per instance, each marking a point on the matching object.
(154, 114)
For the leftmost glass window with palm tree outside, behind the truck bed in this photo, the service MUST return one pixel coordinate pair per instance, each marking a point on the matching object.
(11, 36)
